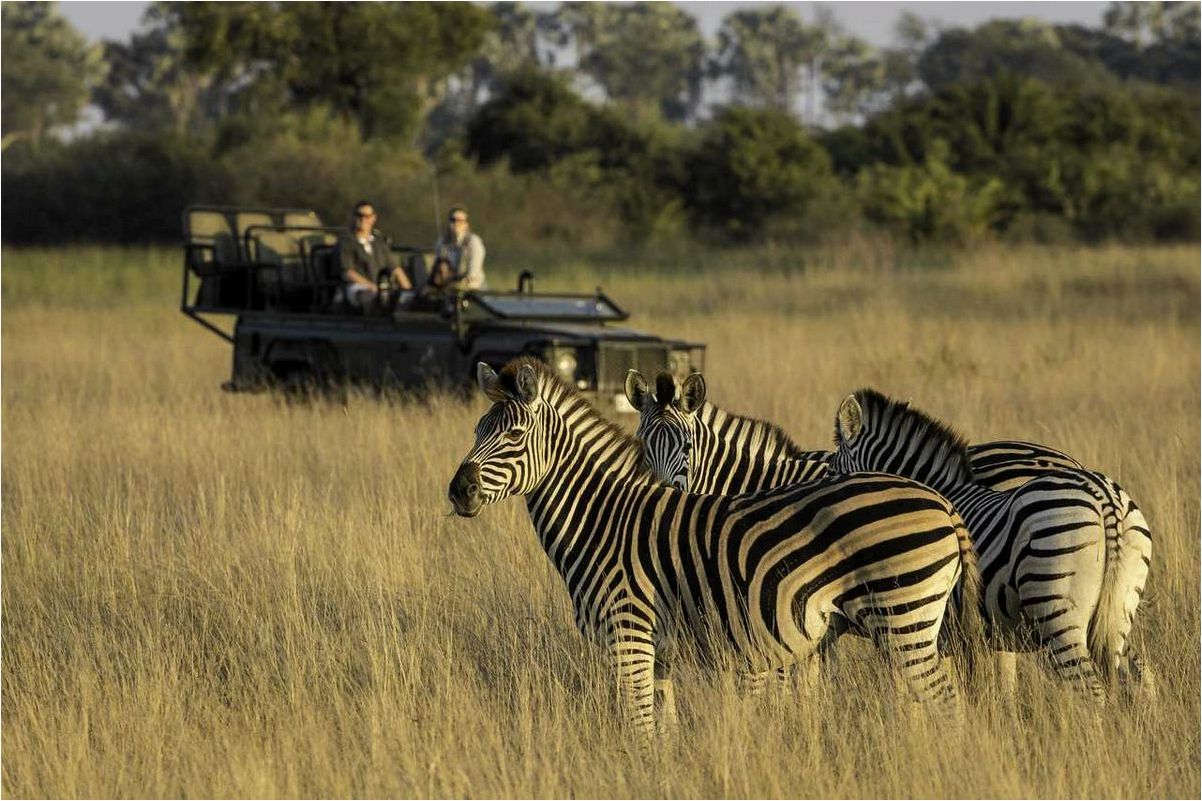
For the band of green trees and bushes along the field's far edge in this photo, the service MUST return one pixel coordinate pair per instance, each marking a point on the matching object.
(784, 126)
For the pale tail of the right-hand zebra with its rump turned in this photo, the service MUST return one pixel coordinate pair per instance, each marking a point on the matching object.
(1111, 622)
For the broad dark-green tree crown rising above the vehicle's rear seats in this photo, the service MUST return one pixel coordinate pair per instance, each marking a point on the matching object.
(383, 66)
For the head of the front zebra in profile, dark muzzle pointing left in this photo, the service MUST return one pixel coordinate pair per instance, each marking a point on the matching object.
(511, 452)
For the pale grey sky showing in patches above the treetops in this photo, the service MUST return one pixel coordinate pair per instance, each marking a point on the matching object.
(871, 21)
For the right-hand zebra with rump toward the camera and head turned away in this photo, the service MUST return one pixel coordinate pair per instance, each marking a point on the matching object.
(1064, 557)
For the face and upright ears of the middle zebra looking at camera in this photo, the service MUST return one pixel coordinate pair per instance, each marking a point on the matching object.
(667, 423)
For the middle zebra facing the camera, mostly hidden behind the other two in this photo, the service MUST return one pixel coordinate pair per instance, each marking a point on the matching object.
(699, 447)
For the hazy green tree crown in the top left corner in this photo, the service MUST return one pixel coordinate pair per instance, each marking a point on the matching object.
(47, 72)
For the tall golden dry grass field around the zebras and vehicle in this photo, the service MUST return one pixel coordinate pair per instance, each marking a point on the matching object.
(207, 595)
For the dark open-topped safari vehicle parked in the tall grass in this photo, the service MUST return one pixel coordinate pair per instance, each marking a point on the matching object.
(276, 271)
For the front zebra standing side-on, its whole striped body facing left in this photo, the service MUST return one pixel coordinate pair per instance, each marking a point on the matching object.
(767, 575)
